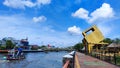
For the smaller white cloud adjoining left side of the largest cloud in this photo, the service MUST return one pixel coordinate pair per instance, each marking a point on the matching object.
(81, 13)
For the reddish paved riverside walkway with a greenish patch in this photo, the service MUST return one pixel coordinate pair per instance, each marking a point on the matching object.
(86, 61)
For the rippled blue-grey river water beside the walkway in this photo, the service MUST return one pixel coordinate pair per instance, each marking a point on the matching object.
(35, 60)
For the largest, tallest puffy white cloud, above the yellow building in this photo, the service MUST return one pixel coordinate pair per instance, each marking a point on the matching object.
(104, 12)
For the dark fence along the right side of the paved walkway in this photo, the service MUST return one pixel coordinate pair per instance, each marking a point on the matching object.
(111, 57)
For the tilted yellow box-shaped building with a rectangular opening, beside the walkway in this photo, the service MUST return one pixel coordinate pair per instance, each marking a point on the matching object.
(92, 37)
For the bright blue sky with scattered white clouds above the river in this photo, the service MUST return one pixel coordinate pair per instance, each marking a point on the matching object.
(58, 22)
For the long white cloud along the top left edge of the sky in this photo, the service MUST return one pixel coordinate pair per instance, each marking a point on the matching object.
(25, 3)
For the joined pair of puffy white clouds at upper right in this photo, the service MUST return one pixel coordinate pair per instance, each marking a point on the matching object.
(104, 12)
